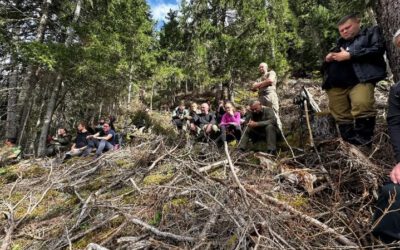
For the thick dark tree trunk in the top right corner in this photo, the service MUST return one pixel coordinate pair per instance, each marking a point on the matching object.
(388, 16)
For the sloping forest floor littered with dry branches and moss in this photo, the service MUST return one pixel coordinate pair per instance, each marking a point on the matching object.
(162, 191)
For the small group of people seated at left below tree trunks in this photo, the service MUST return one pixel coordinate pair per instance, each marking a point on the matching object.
(102, 138)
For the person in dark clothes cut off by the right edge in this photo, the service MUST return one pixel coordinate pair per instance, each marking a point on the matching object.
(387, 225)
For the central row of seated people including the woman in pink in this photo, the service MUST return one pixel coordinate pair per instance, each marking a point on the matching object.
(254, 122)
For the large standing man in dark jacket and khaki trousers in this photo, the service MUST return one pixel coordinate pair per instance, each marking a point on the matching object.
(352, 69)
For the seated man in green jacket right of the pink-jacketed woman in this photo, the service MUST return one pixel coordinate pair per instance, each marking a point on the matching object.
(261, 125)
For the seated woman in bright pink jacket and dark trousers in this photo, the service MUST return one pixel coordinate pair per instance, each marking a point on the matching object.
(230, 123)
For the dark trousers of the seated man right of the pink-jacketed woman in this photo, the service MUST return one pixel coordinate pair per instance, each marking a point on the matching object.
(267, 133)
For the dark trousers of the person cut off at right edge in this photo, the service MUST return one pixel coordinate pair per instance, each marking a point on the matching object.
(386, 218)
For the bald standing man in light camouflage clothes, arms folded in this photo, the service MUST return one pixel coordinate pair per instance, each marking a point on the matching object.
(266, 87)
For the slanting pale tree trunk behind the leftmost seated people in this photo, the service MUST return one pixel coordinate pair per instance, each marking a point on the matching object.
(53, 98)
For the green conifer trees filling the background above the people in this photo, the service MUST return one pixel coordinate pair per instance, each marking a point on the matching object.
(63, 61)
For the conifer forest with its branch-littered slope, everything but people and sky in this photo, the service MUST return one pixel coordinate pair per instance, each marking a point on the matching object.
(62, 62)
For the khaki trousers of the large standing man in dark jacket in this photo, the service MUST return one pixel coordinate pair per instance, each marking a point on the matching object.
(347, 104)
